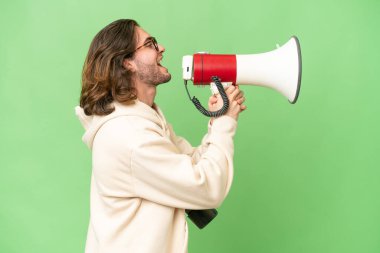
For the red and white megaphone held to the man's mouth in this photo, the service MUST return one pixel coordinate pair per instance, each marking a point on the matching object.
(279, 69)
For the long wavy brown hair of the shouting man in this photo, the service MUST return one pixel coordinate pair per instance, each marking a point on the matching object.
(104, 79)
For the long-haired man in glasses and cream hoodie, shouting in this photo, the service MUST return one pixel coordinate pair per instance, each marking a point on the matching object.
(143, 175)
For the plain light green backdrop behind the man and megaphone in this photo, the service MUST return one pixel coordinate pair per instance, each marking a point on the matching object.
(307, 176)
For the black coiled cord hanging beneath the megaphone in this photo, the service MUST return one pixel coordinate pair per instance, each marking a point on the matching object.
(222, 93)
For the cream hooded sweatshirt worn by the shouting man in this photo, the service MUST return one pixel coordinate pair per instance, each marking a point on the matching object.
(144, 177)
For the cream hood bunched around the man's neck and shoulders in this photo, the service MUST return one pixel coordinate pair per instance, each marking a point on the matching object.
(93, 123)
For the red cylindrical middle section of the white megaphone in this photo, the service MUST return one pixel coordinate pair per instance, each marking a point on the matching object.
(209, 65)
